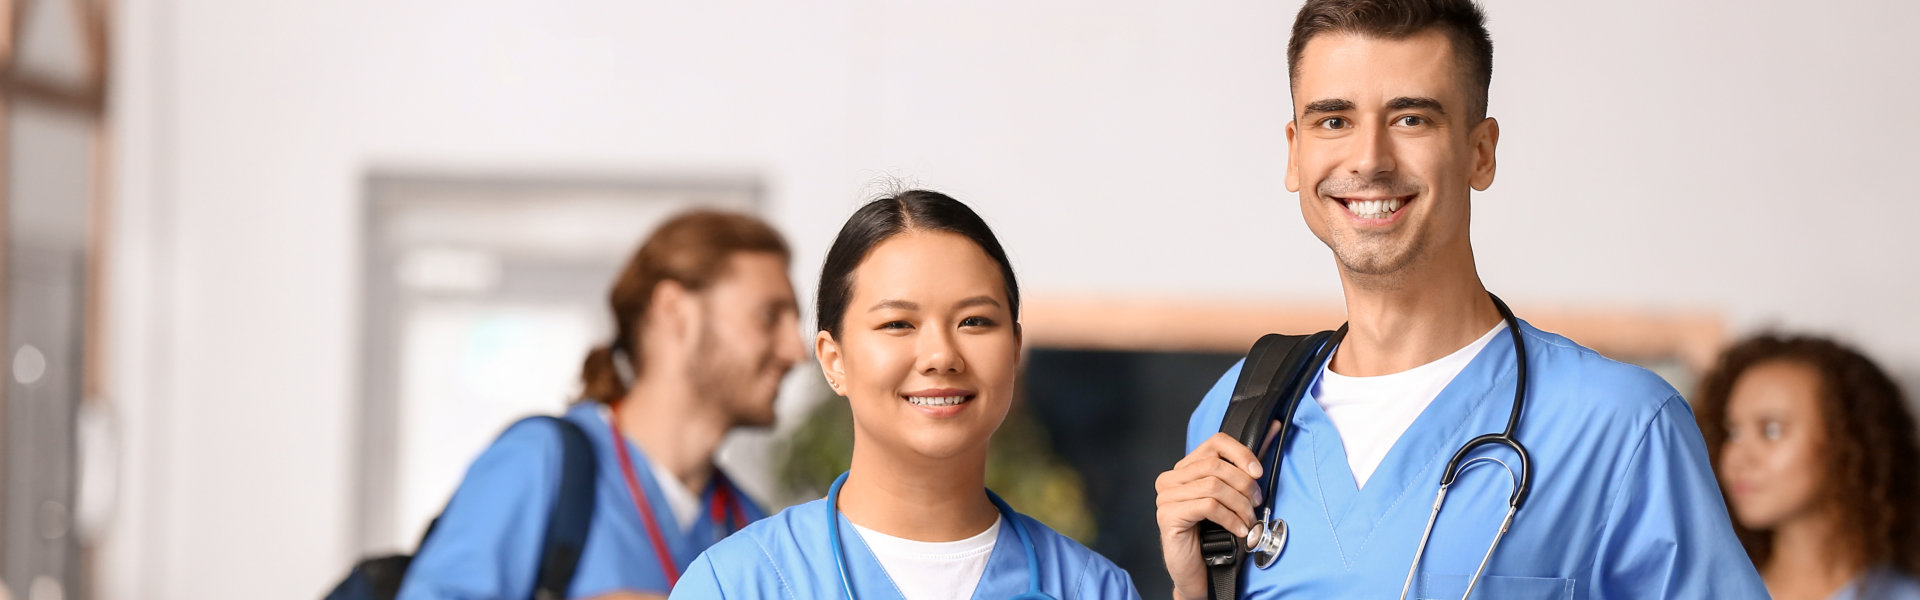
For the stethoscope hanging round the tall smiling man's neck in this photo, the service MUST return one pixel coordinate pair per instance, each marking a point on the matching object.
(1270, 536)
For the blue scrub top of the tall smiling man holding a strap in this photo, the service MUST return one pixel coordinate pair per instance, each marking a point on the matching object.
(1623, 499)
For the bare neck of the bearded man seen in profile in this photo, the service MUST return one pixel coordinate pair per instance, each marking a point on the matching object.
(679, 430)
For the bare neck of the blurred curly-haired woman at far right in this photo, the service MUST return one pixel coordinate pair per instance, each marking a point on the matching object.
(1810, 561)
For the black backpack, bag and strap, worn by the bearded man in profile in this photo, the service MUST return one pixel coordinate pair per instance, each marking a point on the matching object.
(567, 532)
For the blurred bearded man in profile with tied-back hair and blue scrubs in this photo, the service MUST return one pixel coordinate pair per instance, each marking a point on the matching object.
(706, 326)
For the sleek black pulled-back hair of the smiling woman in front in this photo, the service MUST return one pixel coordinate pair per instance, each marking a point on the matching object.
(886, 218)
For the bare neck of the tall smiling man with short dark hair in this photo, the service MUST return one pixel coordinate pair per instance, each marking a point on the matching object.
(1414, 322)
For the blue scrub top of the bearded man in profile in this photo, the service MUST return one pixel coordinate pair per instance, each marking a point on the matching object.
(489, 541)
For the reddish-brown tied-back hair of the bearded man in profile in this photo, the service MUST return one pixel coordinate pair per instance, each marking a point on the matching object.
(690, 249)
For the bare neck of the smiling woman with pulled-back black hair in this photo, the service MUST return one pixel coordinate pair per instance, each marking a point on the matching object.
(919, 499)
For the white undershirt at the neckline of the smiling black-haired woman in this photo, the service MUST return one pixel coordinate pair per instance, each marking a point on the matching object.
(934, 570)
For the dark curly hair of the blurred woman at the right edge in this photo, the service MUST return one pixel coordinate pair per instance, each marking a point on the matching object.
(1873, 461)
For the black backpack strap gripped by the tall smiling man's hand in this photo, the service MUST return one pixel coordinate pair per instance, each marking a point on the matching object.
(1274, 376)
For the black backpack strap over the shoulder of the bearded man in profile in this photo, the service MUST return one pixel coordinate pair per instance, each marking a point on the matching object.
(573, 512)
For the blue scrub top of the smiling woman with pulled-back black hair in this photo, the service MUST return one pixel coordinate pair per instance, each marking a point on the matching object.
(790, 557)
